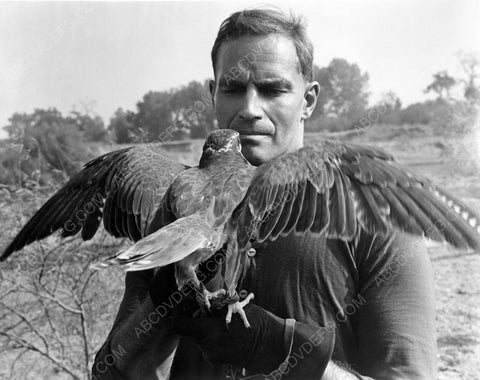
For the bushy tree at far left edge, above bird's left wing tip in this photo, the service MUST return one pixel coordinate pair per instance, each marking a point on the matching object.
(45, 145)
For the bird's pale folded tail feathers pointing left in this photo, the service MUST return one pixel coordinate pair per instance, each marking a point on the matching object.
(168, 245)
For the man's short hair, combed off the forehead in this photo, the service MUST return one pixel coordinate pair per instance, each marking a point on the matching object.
(262, 22)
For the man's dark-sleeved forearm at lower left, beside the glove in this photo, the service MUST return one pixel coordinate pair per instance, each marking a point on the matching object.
(144, 344)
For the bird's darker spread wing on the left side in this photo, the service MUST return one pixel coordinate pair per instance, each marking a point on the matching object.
(124, 187)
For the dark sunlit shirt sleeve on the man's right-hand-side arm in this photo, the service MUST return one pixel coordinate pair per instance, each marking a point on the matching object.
(396, 324)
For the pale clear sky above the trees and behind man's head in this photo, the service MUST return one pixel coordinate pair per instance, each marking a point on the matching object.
(109, 54)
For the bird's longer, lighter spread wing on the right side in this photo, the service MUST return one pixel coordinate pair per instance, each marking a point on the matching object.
(336, 189)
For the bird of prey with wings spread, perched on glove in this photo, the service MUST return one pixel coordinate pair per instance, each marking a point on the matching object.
(182, 216)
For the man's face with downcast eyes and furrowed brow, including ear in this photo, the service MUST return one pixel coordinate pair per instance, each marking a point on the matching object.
(260, 92)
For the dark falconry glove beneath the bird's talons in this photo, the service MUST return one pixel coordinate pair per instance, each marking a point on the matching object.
(272, 346)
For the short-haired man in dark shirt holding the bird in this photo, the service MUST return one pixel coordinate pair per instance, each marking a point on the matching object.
(323, 308)
